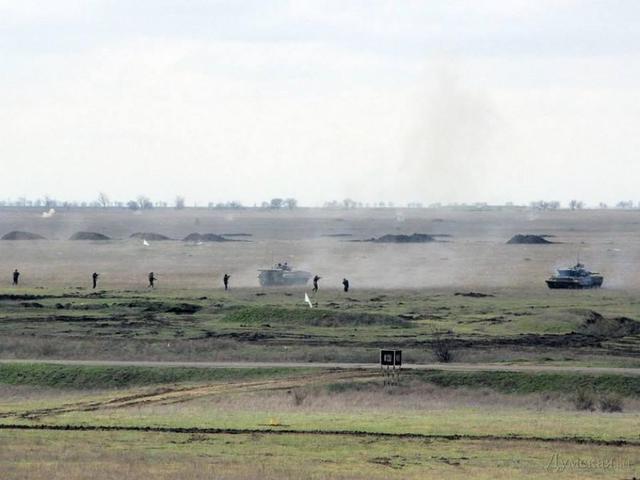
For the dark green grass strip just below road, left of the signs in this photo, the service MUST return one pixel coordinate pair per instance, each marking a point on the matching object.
(105, 377)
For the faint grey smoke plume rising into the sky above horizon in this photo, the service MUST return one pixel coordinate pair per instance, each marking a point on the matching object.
(452, 142)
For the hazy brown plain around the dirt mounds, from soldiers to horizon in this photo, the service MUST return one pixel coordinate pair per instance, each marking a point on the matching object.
(474, 255)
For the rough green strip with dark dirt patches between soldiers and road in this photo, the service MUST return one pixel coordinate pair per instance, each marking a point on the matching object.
(585, 328)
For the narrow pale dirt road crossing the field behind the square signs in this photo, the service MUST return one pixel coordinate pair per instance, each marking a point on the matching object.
(457, 367)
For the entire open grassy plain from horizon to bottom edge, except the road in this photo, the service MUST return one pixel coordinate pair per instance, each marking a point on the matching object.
(73, 421)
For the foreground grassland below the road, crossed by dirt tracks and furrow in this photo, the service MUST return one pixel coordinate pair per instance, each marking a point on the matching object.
(296, 423)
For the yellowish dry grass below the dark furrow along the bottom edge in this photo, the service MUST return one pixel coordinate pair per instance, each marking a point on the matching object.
(123, 456)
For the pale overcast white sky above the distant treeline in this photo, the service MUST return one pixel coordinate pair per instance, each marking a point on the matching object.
(399, 101)
